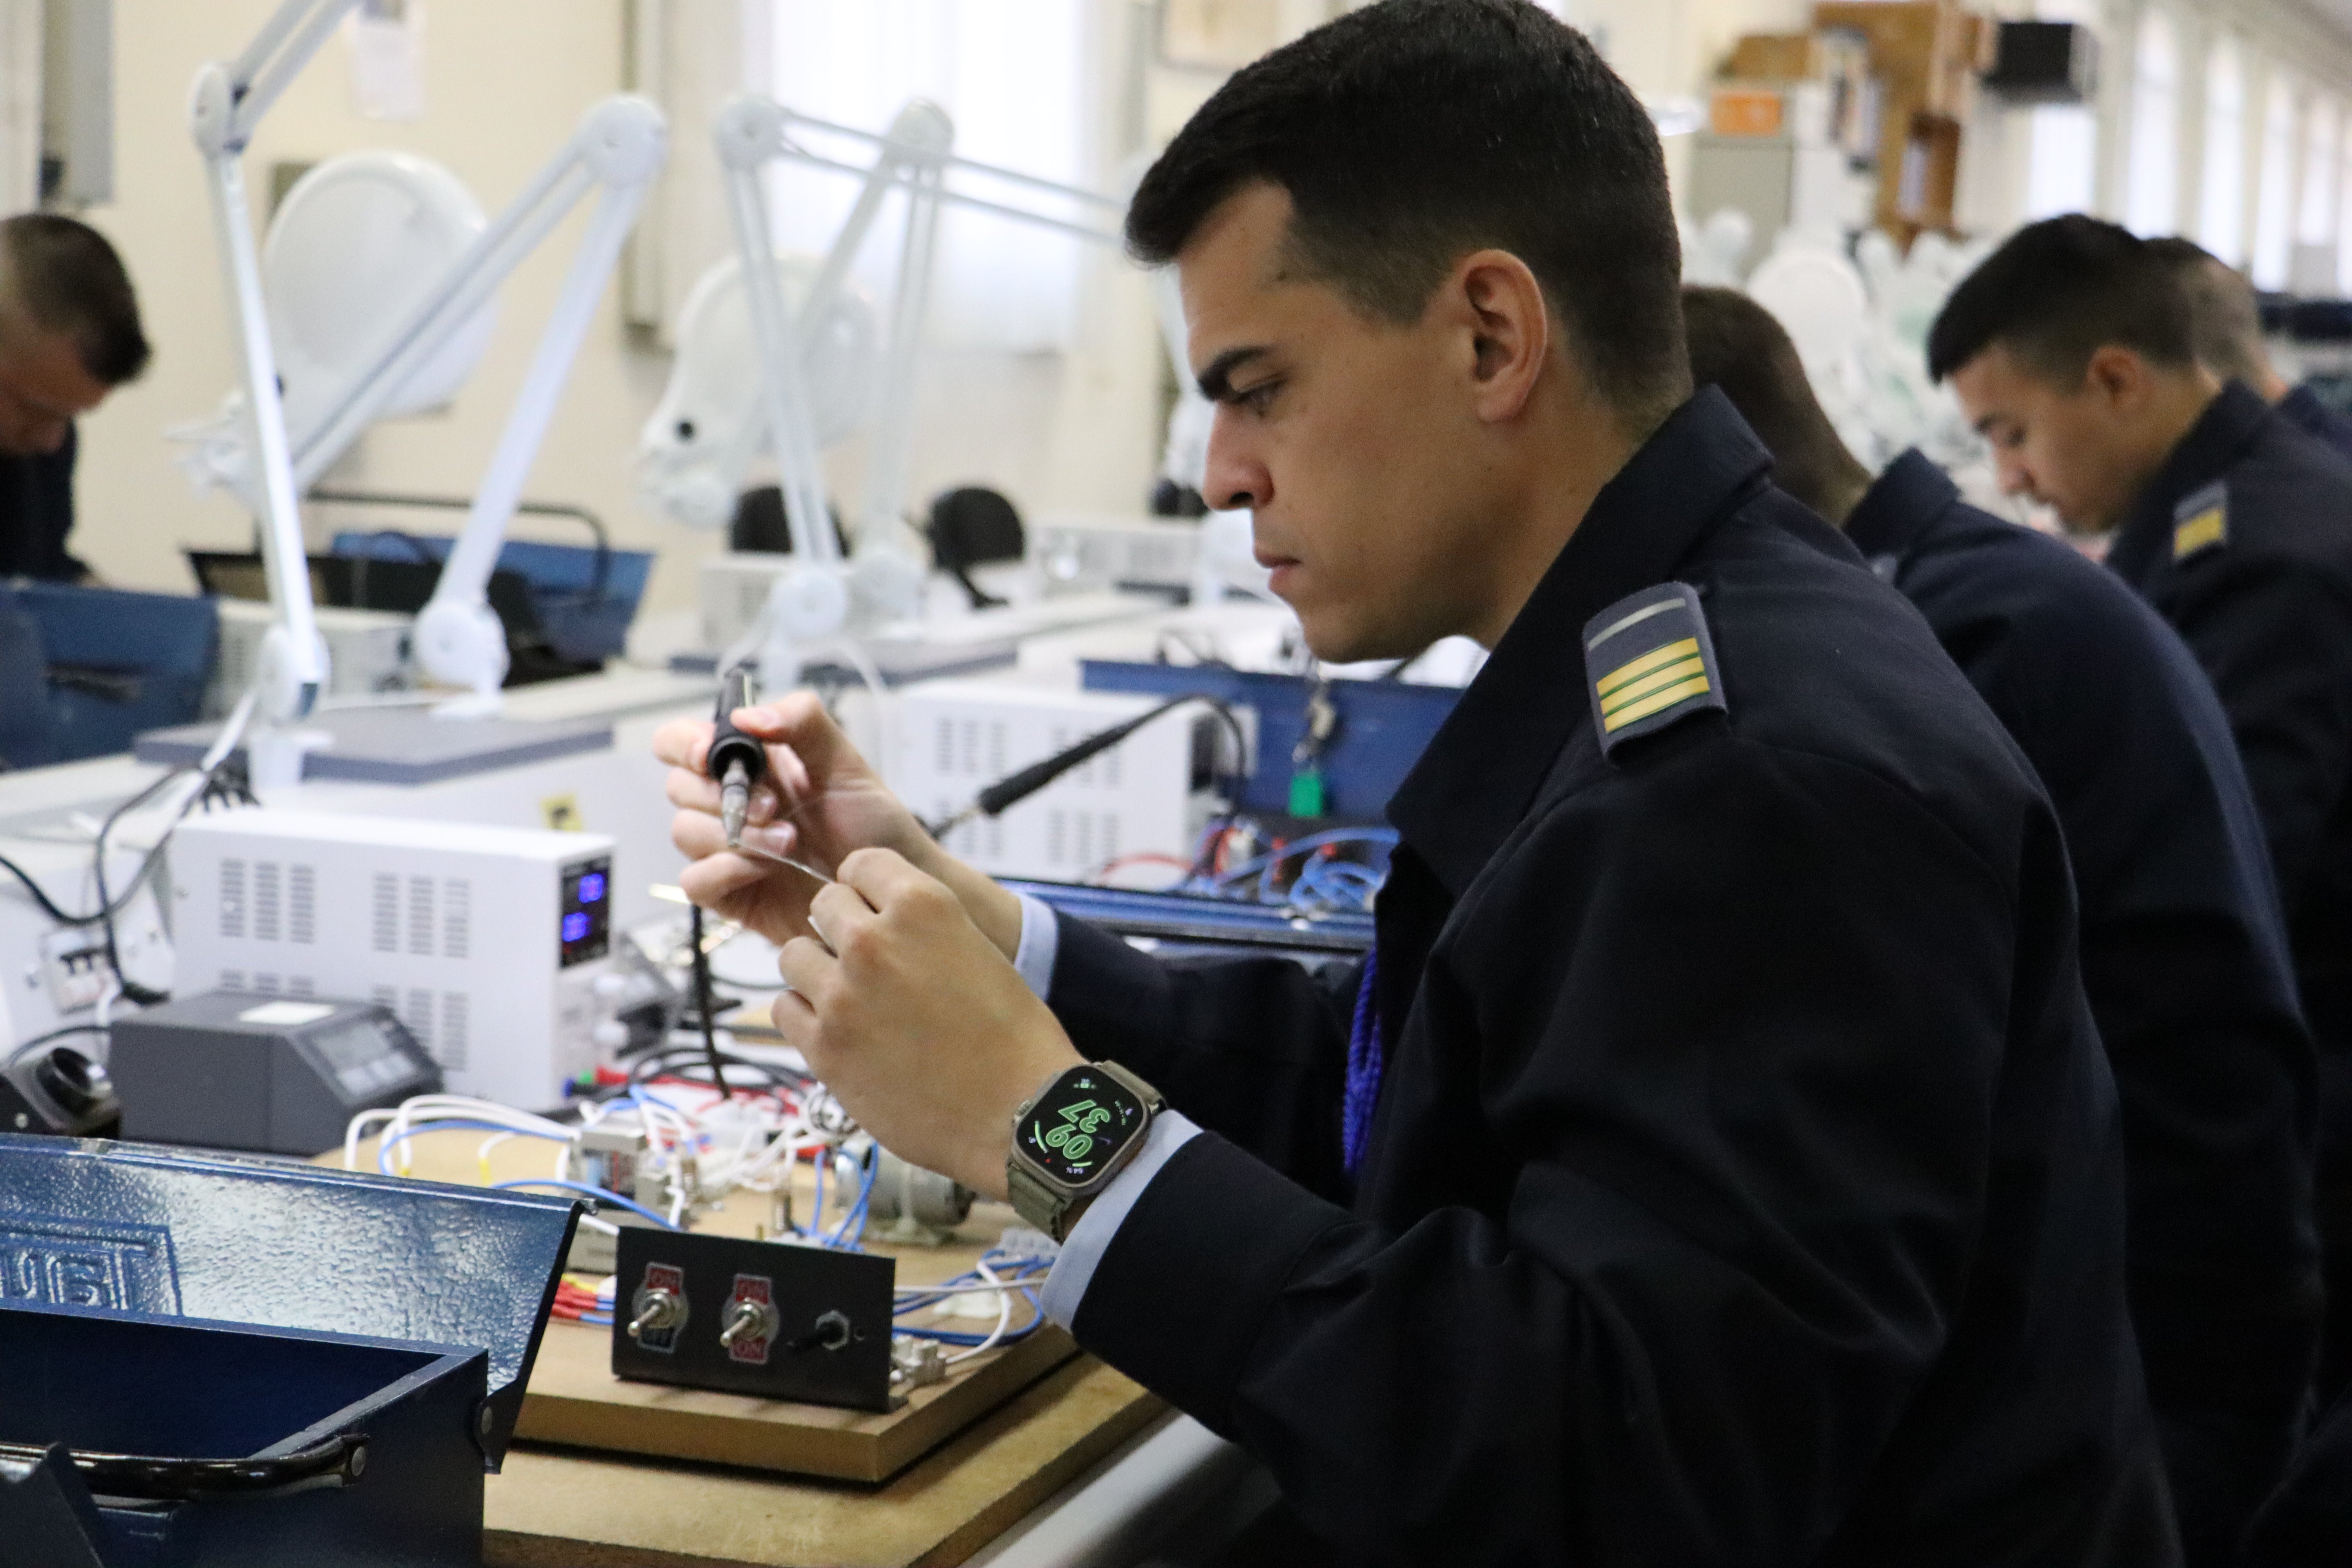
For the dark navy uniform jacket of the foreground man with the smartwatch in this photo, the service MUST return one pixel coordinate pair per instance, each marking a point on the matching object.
(1746, 1179)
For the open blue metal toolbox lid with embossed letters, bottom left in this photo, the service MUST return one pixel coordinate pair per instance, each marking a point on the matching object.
(243, 1240)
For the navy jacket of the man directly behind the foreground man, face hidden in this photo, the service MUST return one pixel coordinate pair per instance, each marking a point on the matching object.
(2184, 958)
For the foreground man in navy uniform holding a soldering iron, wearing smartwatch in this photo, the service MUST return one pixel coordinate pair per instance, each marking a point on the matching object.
(1716, 1162)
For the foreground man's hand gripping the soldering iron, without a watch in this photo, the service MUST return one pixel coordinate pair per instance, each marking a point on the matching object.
(820, 805)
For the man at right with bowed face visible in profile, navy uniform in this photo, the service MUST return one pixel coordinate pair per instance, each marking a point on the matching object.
(2071, 351)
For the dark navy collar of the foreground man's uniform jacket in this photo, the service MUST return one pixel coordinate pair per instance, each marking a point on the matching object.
(1490, 758)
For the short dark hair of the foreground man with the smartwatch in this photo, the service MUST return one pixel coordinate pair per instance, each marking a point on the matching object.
(1417, 130)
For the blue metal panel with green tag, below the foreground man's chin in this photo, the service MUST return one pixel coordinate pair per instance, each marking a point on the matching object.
(1382, 728)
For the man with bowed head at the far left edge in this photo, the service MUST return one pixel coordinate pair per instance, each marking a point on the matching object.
(69, 335)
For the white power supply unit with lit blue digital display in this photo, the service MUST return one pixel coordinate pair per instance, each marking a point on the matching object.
(486, 942)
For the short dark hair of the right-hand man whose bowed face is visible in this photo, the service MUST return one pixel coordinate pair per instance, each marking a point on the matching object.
(2062, 290)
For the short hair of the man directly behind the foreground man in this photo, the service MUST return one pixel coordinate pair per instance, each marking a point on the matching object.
(1742, 349)
